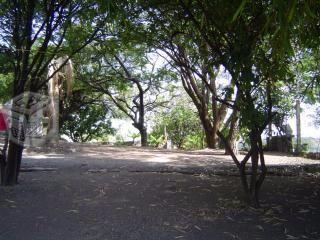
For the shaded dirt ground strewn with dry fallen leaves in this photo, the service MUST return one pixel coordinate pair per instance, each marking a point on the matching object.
(101, 192)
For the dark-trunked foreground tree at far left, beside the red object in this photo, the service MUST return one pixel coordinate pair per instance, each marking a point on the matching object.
(33, 33)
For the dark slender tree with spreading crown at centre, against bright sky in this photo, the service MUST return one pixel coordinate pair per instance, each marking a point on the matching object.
(128, 75)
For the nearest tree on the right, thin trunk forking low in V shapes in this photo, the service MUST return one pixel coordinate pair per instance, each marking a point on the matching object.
(239, 40)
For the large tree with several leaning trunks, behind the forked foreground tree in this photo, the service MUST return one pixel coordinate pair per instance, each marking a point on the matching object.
(189, 55)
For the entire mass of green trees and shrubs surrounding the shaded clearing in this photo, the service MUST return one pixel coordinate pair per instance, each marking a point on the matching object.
(243, 66)
